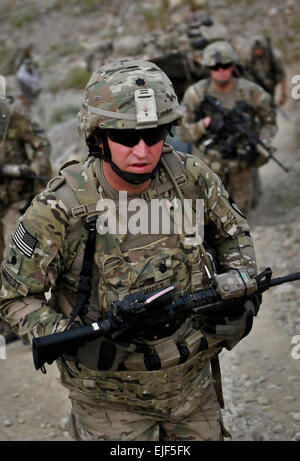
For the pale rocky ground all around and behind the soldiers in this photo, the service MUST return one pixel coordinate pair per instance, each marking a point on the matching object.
(260, 376)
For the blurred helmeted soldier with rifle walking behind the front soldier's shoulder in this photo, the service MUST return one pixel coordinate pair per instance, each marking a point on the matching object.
(229, 153)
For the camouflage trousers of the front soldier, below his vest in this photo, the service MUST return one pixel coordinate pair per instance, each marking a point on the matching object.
(98, 421)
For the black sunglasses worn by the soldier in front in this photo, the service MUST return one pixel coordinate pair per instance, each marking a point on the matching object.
(130, 138)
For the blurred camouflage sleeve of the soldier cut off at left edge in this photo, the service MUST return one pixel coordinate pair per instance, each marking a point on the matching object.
(36, 144)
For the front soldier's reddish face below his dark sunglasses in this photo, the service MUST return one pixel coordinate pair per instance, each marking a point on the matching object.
(137, 159)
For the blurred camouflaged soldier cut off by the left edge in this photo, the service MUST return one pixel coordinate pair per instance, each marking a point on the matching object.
(24, 152)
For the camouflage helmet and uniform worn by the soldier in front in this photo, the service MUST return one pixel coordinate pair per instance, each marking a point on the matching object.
(128, 402)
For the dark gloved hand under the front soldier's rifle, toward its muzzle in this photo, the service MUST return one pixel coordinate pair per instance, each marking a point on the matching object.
(231, 330)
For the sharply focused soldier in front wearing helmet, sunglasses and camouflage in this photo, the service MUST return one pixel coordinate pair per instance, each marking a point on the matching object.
(155, 385)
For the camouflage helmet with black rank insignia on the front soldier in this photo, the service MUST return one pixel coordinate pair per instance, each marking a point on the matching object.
(128, 94)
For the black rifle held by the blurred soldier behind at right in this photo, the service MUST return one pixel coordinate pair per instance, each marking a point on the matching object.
(234, 121)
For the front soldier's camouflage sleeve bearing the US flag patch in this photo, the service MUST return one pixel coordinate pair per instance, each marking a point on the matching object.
(34, 260)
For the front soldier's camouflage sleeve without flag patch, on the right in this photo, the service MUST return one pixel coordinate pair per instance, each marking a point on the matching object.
(225, 227)
